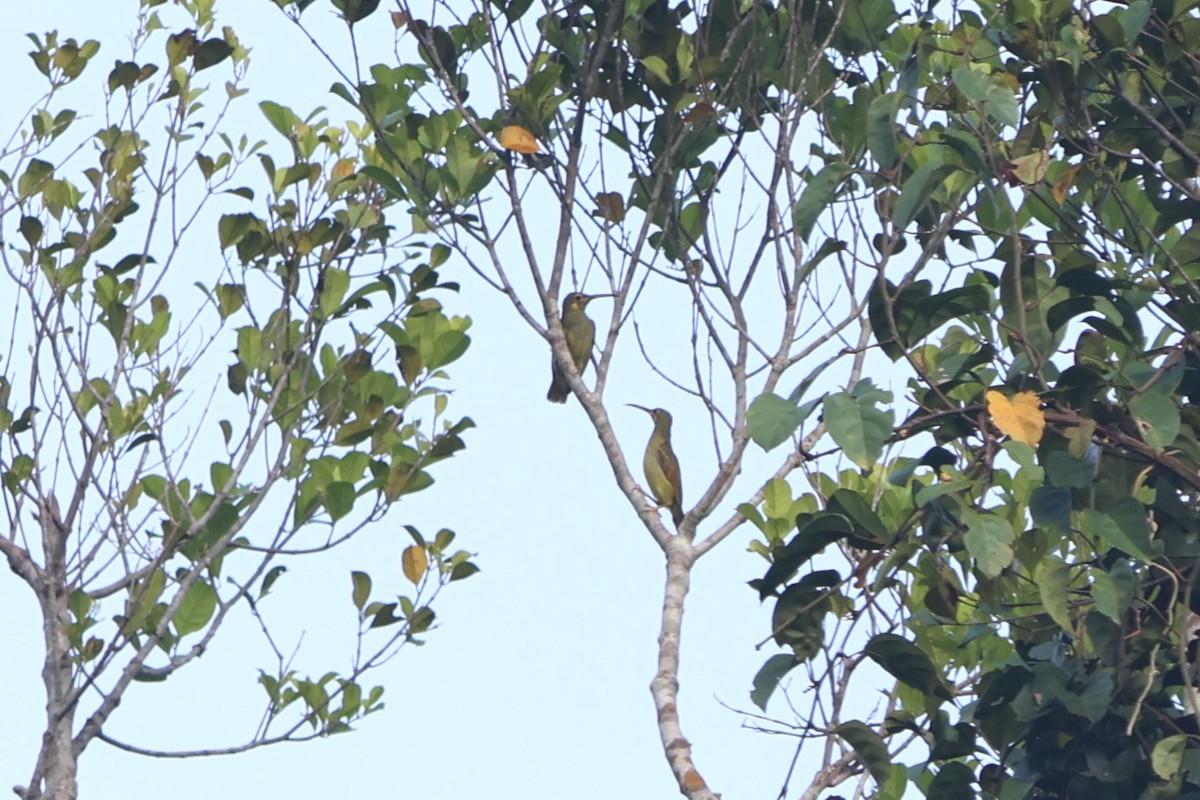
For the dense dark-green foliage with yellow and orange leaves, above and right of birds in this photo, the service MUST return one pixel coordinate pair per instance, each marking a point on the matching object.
(1007, 193)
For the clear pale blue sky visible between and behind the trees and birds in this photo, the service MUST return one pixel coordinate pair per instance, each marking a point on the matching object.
(537, 683)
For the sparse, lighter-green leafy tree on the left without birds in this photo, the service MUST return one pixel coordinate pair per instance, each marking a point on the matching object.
(155, 486)
